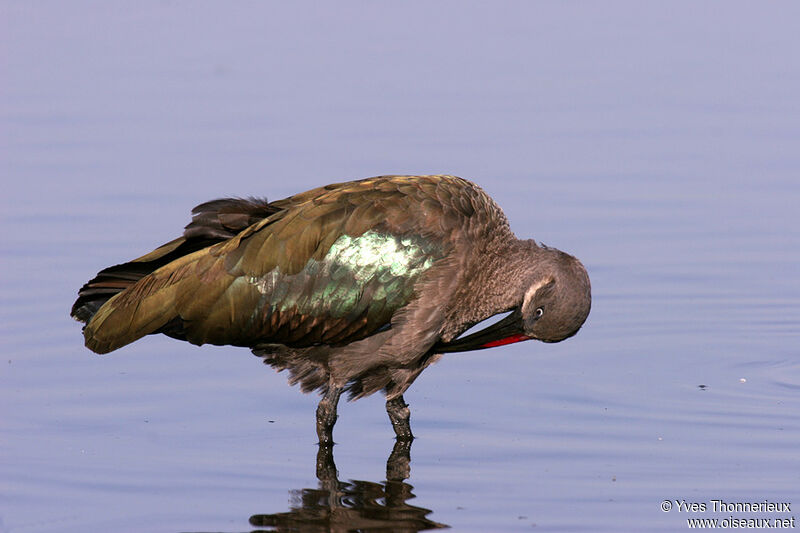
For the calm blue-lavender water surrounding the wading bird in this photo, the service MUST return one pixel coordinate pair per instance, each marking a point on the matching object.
(658, 143)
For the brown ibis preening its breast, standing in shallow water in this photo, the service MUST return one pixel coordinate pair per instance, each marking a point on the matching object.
(354, 287)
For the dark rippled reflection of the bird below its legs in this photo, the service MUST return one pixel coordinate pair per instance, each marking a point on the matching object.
(339, 506)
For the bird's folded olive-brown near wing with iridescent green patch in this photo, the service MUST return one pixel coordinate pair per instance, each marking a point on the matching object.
(329, 266)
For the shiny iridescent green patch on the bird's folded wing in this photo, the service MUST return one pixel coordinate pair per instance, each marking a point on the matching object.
(350, 293)
